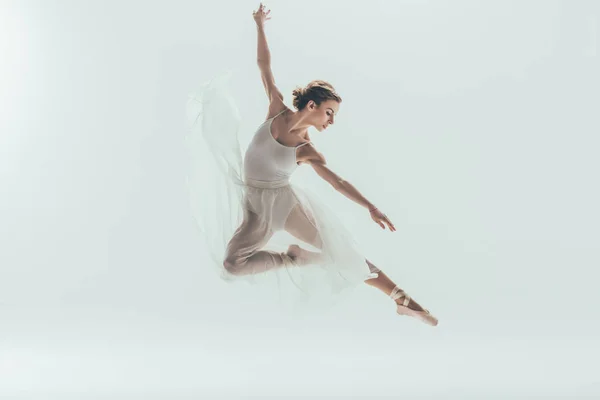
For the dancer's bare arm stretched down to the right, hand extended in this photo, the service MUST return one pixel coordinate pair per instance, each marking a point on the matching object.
(309, 155)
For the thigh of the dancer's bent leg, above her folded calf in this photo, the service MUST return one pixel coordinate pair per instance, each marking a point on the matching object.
(250, 236)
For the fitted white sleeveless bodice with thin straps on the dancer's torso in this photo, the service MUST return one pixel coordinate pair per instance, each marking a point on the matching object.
(268, 160)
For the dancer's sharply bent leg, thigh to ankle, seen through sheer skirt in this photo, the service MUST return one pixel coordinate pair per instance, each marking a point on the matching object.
(243, 256)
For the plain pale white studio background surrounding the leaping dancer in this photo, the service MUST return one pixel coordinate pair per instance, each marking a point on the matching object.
(473, 124)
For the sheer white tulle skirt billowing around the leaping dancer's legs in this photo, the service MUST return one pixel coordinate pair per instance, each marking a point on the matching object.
(247, 225)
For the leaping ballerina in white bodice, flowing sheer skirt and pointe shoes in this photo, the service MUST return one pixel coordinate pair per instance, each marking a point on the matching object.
(256, 199)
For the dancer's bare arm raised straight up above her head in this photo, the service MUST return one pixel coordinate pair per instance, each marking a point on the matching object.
(263, 58)
